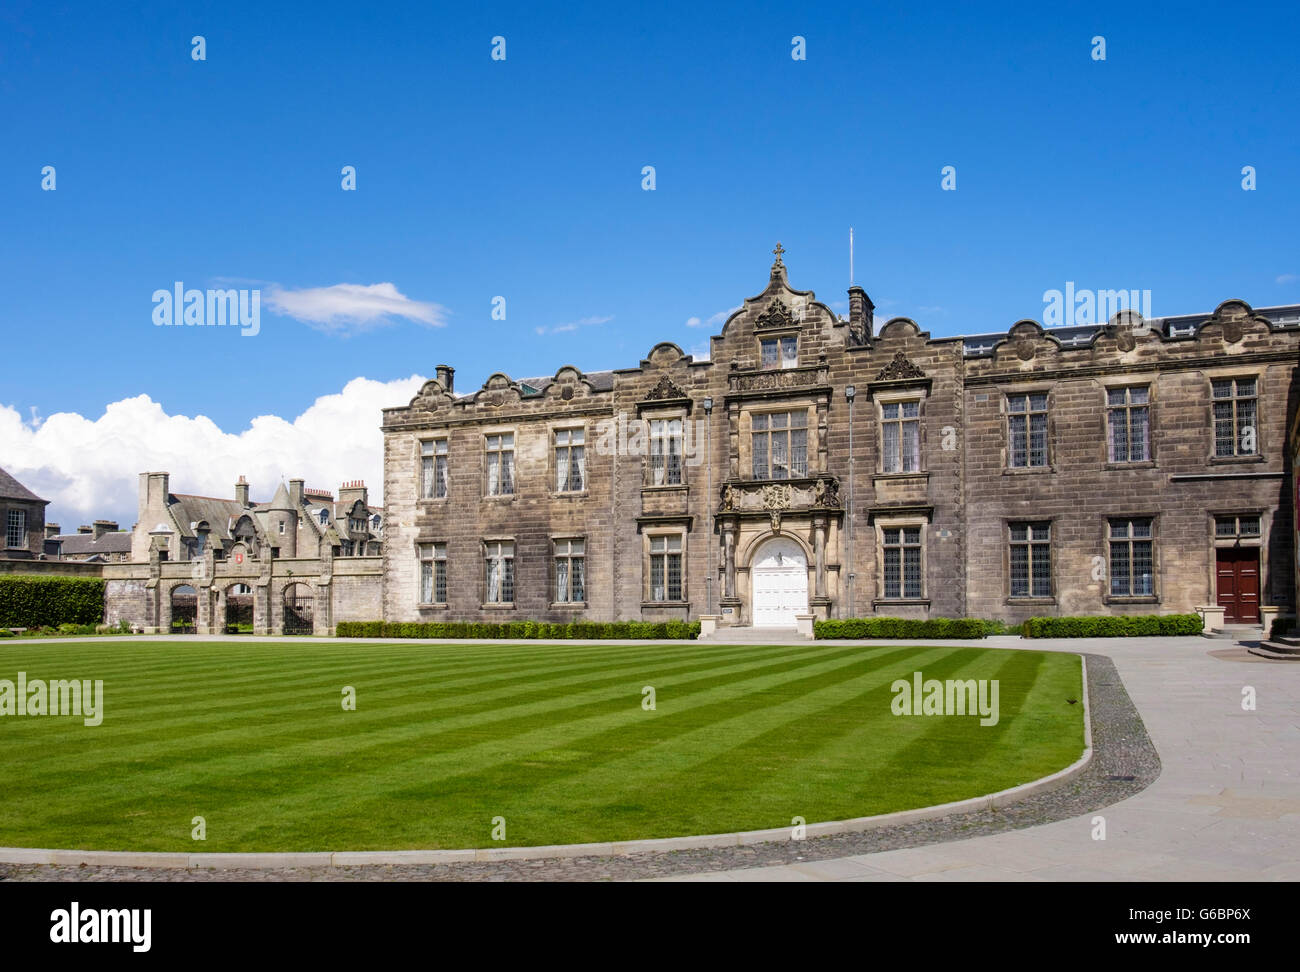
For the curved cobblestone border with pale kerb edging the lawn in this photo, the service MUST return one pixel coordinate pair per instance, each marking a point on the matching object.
(1120, 761)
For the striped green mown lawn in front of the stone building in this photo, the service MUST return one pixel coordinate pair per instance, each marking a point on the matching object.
(553, 739)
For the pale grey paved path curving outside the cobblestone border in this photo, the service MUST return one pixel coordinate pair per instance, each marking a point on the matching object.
(1227, 806)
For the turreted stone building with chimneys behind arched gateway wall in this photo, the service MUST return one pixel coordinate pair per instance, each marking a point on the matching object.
(298, 565)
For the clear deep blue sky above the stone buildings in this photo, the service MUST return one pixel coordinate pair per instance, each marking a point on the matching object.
(522, 179)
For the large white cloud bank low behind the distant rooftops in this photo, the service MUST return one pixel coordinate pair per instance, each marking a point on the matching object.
(89, 467)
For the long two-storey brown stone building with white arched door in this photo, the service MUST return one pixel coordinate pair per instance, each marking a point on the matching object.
(820, 466)
